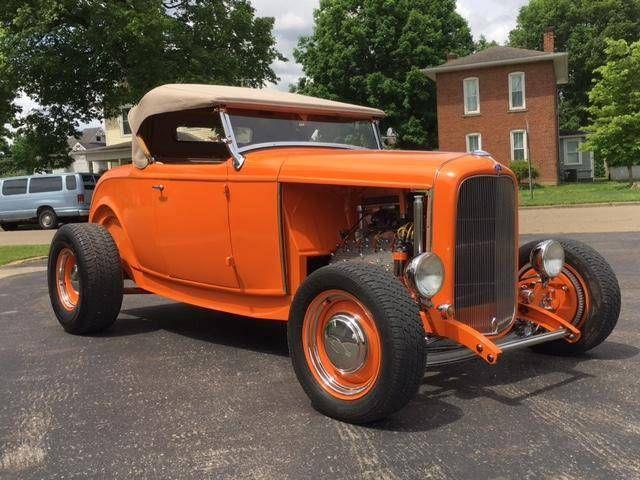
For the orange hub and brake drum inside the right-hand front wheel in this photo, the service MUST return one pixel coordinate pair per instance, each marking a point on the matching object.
(566, 295)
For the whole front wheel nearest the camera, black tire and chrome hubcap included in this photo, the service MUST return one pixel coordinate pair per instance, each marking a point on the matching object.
(356, 341)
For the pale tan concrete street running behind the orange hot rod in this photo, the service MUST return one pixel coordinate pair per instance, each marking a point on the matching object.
(568, 219)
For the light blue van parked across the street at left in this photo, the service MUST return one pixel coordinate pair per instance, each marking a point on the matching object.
(45, 199)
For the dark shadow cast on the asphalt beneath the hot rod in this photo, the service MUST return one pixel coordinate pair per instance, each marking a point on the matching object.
(432, 407)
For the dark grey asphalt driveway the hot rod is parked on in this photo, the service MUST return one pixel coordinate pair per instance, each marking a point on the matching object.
(178, 392)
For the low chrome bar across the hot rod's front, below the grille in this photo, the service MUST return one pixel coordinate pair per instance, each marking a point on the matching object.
(442, 355)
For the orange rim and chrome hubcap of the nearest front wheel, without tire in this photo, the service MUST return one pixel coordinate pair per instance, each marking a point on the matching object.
(342, 344)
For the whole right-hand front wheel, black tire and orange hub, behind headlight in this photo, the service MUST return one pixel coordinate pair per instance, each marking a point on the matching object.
(586, 294)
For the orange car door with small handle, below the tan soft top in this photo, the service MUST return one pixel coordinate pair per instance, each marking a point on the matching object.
(192, 222)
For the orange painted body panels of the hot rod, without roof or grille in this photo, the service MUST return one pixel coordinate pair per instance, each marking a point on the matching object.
(240, 241)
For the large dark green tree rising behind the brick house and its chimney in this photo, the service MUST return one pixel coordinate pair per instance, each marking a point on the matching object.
(581, 27)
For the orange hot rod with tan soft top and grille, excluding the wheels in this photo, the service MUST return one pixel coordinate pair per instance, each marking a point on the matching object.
(221, 209)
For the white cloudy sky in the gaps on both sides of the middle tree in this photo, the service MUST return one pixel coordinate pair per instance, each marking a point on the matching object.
(491, 18)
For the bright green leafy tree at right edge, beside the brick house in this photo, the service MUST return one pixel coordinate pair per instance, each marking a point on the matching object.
(615, 107)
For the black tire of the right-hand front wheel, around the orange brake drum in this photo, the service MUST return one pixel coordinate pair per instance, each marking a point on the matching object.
(589, 274)
